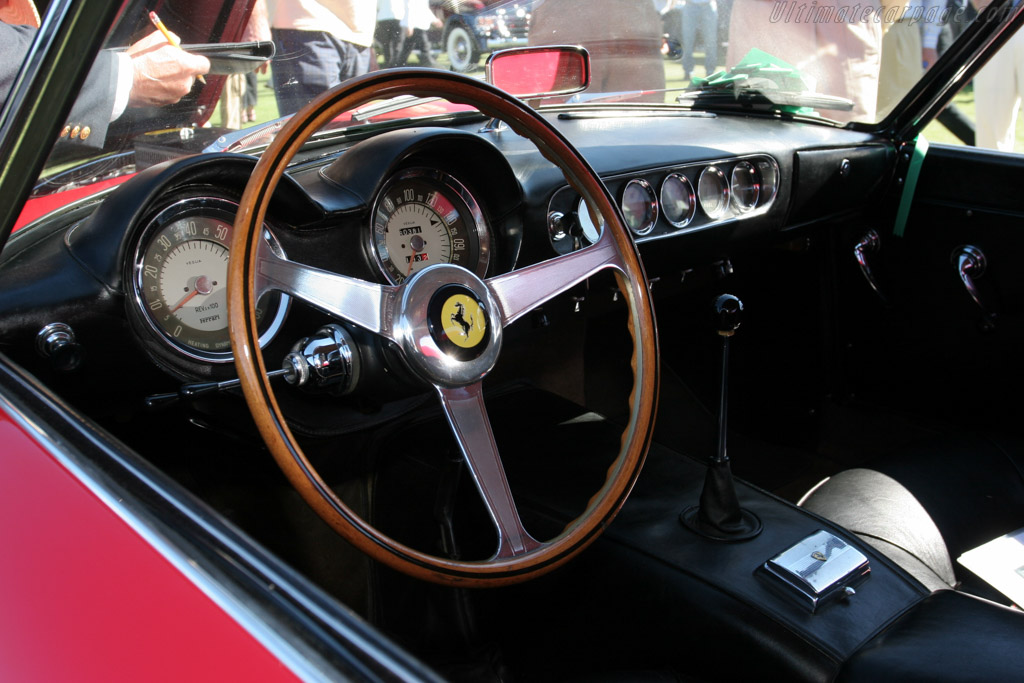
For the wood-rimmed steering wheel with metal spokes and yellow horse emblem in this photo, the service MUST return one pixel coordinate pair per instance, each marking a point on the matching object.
(408, 315)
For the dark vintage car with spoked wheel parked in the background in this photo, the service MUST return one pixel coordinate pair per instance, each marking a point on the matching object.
(475, 28)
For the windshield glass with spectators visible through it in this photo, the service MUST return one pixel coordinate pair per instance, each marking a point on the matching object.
(186, 76)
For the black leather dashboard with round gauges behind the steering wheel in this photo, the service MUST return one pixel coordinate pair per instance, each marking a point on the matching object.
(150, 260)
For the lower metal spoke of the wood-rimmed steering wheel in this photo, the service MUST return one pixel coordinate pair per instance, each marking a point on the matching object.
(468, 418)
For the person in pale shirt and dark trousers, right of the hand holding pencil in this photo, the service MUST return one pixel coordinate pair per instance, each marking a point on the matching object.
(320, 44)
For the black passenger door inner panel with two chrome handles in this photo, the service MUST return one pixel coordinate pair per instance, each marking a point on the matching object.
(932, 353)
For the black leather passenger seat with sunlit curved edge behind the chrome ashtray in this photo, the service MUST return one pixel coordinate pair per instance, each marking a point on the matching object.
(929, 504)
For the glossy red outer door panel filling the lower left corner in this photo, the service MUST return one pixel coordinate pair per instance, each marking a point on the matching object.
(80, 559)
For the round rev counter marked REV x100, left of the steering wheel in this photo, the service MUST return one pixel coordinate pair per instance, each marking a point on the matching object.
(181, 279)
